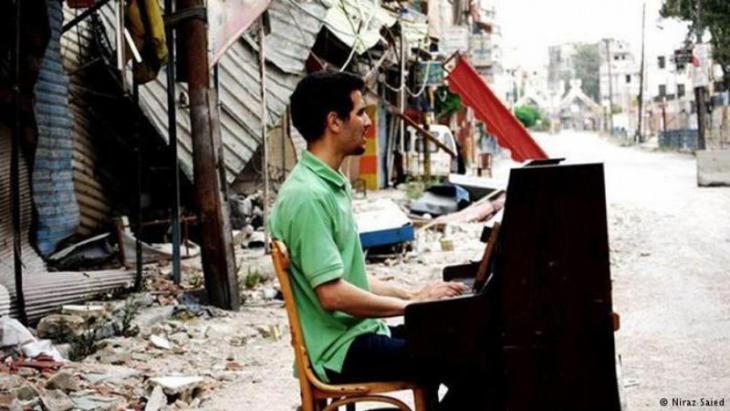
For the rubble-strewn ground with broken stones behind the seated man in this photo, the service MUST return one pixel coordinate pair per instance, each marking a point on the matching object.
(162, 349)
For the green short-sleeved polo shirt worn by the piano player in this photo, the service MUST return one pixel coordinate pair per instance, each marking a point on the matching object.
(313, 217)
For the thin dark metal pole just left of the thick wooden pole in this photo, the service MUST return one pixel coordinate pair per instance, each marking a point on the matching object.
(172, 139)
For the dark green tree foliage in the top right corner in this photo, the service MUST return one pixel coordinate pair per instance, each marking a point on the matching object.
(715, 17)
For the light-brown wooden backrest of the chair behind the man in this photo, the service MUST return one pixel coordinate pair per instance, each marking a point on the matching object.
(280, 257)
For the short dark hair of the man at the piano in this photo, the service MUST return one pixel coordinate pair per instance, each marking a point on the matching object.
(317, 95)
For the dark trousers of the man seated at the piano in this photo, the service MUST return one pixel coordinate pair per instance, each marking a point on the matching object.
(373, 357)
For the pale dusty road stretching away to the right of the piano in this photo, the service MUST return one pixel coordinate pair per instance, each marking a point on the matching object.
(670, 252)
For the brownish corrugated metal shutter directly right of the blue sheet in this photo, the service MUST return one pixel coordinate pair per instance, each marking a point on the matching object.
(93, 200)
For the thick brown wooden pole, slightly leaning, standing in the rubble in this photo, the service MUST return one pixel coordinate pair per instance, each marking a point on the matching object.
(219, 266)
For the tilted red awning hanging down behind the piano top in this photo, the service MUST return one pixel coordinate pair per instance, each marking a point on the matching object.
(465, 81)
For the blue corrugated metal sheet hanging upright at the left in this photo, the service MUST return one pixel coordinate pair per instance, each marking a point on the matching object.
(53, 190)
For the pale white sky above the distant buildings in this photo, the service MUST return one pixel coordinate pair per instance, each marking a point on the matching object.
(530, 26)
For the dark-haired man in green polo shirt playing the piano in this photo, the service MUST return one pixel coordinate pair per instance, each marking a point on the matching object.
(339, 305)
